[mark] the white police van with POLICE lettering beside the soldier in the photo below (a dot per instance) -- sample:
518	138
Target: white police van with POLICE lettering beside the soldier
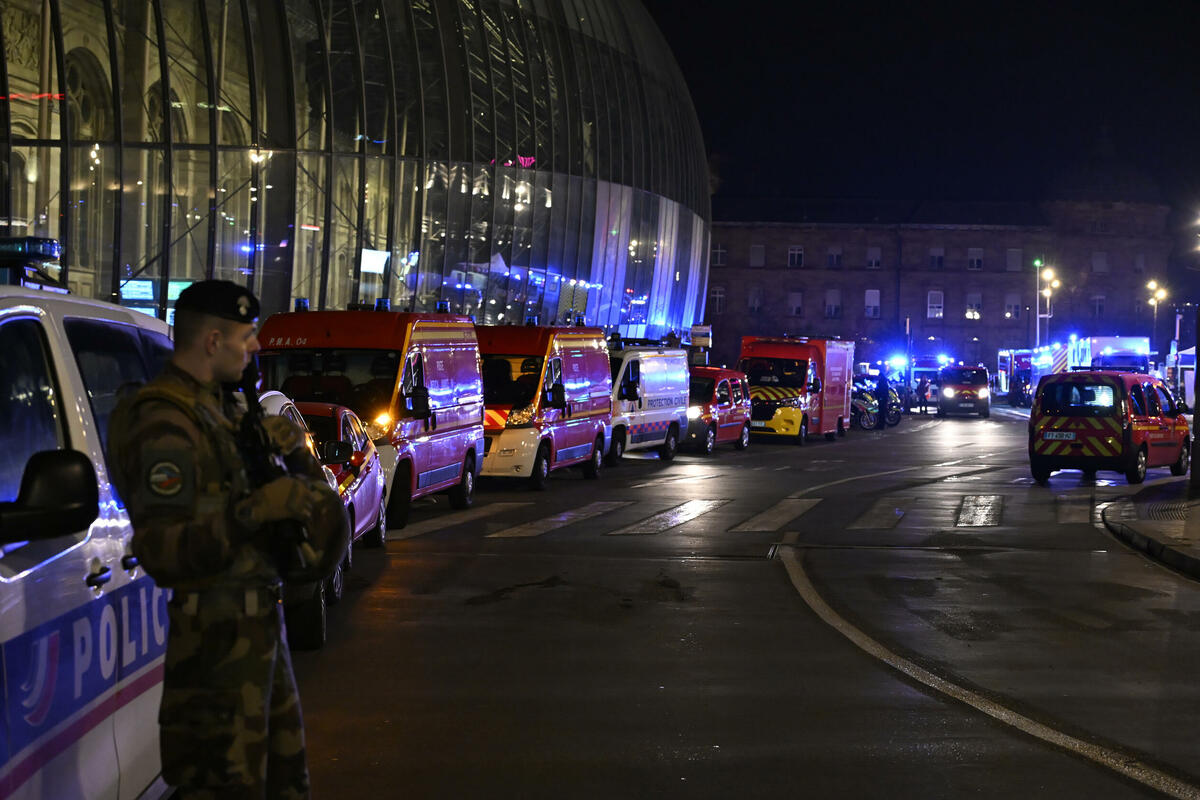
83	629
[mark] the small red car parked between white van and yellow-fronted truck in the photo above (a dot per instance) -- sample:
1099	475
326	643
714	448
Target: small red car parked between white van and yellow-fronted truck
719	410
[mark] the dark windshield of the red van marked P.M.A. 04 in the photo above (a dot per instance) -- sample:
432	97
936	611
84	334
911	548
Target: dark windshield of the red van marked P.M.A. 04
359	380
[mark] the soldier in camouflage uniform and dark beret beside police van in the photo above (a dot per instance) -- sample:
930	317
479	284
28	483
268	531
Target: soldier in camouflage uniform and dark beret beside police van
231	724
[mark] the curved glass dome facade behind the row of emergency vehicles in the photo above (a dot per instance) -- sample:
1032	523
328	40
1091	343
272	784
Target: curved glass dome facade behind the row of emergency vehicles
508	158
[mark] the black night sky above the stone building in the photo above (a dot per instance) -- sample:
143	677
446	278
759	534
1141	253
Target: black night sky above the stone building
939	100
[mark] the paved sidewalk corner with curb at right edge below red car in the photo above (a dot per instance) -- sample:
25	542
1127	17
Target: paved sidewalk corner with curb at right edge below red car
1163	524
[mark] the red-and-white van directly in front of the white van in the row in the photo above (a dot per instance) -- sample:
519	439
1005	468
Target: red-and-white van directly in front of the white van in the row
549	400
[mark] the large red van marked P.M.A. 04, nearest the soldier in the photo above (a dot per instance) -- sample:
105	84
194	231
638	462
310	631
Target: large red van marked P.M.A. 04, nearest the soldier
412	378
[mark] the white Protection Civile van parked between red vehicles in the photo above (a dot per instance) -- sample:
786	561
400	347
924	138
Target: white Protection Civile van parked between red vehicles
650	400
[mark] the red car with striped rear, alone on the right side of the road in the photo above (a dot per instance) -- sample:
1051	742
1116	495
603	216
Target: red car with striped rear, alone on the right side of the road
1095	420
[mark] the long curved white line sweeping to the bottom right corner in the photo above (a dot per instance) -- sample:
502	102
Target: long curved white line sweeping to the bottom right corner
1115	761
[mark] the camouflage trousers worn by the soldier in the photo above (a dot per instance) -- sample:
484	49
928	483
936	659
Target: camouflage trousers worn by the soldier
231	715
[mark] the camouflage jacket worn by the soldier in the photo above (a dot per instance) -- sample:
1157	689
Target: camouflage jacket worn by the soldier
176	464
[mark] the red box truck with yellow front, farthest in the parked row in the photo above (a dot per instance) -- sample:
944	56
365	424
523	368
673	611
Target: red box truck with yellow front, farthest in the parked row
799	386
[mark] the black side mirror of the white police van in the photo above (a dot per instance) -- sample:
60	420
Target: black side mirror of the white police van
59	496
